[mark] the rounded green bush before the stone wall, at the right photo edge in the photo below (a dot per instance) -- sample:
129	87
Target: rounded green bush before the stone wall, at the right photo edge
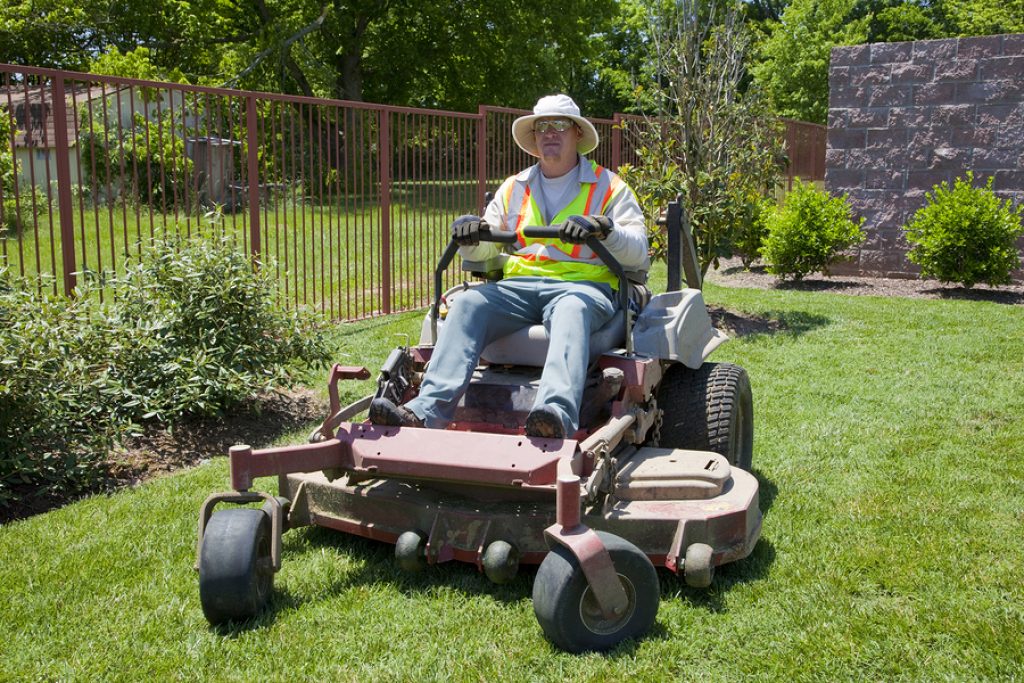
965	235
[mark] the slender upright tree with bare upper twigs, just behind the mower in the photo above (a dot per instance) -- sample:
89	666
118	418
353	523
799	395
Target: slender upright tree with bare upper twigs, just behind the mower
708	140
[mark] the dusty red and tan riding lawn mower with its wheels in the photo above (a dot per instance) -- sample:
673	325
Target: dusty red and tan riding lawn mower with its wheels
658	476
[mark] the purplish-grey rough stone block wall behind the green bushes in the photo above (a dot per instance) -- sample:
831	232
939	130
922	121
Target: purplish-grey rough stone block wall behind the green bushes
904	117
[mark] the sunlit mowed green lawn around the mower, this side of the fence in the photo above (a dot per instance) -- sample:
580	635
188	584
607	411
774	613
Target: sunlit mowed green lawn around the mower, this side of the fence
888	449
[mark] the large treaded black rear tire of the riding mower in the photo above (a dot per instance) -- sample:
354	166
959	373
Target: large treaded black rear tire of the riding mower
709	409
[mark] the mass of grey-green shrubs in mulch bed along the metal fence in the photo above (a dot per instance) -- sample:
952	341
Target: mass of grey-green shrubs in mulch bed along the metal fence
192	331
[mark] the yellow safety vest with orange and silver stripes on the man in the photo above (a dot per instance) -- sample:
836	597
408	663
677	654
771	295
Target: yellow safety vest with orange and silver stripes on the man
552	258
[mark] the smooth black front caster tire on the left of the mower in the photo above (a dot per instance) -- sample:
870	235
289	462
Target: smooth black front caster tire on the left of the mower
236	574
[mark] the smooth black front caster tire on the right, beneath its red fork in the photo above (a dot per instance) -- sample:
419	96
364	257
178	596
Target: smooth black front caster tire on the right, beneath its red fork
568	612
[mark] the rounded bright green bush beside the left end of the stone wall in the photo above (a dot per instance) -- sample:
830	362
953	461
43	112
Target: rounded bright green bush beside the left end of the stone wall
808	233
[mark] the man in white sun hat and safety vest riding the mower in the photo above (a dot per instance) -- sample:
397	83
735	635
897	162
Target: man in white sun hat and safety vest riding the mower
557	282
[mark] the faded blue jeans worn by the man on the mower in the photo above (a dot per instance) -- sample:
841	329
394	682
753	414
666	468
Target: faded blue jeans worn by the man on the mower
570	312
